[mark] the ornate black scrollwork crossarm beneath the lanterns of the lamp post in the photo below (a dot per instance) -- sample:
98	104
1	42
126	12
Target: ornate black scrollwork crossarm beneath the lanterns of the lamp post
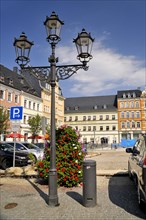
63	72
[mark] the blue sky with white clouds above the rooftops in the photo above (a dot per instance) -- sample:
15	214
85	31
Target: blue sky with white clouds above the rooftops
119	50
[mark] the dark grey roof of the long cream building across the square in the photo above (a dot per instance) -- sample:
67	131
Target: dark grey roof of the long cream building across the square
91	104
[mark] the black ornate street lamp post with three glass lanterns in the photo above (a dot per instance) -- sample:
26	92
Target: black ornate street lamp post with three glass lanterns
51	74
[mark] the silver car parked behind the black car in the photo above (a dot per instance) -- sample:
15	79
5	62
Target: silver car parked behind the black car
29	148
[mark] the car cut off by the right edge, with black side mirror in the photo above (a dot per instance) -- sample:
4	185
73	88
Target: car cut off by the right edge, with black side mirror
137	168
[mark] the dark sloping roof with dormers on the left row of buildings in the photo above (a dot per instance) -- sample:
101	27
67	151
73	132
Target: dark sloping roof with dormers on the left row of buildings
17	81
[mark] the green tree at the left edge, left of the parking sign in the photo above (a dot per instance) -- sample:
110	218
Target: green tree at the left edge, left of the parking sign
4	120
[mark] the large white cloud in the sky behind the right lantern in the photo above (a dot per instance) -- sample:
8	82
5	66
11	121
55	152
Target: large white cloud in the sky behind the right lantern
108	71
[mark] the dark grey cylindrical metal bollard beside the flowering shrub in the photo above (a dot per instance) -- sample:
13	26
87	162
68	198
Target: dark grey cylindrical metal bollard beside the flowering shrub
89	183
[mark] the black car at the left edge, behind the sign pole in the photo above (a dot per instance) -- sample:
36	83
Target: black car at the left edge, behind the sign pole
6	156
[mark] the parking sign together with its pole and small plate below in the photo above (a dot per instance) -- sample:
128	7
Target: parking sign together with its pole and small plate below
16	113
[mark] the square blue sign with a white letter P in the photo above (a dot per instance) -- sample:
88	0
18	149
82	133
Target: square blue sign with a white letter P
16	113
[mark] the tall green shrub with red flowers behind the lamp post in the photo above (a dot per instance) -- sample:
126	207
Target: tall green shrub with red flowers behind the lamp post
69	158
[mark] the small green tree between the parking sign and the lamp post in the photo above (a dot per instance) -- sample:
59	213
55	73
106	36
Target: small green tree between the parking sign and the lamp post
35	125
